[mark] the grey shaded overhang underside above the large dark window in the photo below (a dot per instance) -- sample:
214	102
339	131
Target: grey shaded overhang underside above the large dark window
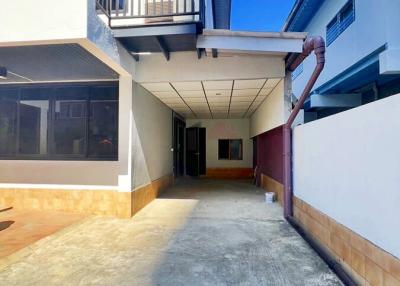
52	63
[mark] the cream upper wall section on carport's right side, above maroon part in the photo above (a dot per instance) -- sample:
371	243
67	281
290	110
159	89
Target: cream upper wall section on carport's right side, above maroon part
271	112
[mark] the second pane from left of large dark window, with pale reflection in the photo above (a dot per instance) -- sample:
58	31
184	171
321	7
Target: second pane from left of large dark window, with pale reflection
33	121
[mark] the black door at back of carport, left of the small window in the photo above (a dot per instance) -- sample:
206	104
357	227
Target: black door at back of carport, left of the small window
195	151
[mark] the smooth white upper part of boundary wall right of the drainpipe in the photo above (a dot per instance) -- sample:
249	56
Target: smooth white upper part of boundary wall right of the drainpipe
347	166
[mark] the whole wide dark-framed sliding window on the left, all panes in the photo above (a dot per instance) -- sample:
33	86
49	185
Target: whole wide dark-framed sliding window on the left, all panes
59	122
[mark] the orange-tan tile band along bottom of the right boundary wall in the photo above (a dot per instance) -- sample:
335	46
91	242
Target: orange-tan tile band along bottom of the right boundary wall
366	262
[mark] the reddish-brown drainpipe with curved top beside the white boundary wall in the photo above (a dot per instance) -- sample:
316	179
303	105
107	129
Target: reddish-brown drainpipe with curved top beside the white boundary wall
316	44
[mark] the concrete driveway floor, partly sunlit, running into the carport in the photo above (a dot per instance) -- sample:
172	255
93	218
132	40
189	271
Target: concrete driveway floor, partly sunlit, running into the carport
201	232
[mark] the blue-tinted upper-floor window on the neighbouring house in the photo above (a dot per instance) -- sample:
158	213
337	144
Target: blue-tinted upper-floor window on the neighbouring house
340	22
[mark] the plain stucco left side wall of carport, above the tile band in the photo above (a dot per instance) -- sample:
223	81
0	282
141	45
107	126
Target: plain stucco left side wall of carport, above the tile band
151	138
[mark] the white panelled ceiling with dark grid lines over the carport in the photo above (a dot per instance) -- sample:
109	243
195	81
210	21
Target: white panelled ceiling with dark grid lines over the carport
214	99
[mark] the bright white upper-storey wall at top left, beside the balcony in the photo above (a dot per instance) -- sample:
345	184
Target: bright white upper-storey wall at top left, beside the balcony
61	22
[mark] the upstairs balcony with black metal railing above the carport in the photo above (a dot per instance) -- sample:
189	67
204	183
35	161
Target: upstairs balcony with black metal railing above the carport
154	26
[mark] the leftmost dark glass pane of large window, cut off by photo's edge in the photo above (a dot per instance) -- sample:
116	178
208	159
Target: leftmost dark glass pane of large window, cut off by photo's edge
8	121
